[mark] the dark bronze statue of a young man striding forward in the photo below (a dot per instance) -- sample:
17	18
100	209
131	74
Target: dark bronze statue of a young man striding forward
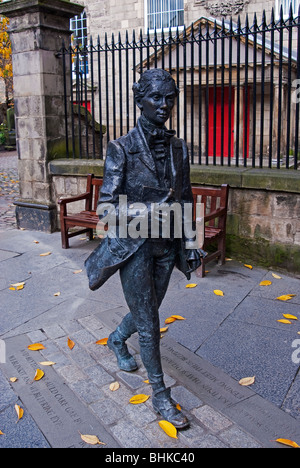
149	165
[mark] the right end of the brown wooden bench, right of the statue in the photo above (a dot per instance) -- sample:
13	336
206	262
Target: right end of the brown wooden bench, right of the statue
215	202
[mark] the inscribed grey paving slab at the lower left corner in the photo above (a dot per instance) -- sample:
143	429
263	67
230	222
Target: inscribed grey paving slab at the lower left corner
53	406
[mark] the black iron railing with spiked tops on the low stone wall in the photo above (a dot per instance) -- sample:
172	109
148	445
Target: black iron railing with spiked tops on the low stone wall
239	99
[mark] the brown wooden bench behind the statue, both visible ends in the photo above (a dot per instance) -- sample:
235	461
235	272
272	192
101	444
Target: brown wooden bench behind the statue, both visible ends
215	208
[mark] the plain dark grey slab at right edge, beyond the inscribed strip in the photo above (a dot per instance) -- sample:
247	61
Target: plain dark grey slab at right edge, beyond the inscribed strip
244	350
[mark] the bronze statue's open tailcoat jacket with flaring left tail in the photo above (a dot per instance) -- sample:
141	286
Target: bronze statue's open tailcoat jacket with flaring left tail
130	170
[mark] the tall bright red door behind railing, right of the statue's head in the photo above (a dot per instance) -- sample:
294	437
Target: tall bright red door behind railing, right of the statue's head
215	129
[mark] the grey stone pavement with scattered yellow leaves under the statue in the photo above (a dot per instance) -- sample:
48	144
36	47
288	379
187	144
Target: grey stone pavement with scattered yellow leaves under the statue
221	340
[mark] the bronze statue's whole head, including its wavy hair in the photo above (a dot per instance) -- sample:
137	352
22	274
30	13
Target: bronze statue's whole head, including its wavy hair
155	94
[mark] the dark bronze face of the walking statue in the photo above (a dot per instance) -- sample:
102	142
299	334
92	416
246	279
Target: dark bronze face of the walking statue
158	102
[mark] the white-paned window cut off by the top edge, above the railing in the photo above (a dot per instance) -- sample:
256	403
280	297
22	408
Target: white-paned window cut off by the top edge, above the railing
164	14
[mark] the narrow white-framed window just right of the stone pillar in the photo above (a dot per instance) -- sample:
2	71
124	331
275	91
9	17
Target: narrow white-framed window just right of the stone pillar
78	26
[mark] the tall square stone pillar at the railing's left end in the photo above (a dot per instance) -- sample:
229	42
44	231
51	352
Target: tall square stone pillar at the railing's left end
37	29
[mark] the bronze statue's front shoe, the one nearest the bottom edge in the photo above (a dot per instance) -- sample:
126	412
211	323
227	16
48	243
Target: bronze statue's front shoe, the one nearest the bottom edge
166	407
